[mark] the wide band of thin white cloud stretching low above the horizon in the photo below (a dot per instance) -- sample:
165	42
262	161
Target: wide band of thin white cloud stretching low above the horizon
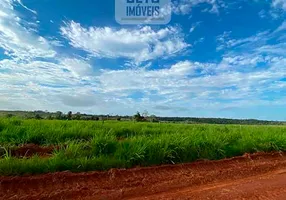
182	86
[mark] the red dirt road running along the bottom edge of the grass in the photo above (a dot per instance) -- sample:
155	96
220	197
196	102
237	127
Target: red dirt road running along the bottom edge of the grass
259	176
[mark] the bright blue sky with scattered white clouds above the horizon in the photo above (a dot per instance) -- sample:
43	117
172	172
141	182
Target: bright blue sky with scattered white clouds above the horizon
216	58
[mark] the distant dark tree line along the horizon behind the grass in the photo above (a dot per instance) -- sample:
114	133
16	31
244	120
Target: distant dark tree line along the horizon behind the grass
138	117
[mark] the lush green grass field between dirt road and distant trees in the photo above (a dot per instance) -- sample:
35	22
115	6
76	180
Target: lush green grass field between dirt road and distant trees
94	145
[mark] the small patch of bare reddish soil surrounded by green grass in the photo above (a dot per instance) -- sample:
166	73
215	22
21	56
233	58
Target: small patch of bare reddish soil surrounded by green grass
29	150
